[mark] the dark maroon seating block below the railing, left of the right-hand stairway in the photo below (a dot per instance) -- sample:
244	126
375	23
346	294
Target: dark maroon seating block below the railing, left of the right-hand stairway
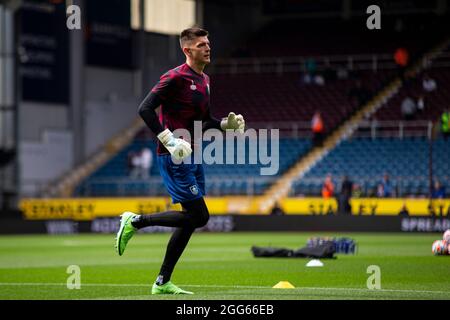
285	98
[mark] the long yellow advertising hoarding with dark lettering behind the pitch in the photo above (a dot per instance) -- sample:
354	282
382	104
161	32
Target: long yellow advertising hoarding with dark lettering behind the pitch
90	208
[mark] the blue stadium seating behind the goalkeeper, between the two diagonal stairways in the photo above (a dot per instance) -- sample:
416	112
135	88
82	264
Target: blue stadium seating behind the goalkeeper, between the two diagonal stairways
112	179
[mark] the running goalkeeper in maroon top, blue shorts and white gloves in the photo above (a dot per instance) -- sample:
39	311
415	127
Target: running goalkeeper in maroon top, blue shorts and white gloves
183	94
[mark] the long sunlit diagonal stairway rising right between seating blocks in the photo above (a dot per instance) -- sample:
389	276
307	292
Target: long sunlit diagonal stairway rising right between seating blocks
281	188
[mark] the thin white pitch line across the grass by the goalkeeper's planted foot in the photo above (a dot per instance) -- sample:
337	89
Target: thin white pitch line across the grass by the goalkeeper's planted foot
217	286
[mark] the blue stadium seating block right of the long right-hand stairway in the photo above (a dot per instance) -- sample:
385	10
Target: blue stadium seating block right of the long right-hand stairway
365	161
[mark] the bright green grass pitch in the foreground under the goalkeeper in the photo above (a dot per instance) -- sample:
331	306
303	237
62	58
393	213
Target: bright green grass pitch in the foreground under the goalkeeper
220	266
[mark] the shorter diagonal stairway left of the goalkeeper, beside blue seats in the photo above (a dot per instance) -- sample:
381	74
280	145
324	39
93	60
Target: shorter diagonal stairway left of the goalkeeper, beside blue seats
65	186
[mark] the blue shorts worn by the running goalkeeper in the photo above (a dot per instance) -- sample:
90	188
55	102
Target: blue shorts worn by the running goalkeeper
184	182
